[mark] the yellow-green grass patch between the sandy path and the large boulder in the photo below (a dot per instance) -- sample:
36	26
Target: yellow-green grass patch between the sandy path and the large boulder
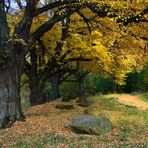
119	114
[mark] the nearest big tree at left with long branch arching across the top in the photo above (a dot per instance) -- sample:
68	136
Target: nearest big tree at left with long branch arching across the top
13	48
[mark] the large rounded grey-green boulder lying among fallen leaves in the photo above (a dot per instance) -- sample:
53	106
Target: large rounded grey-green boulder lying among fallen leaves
98	125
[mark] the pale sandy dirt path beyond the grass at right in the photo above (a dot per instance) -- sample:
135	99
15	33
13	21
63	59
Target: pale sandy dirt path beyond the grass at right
131	100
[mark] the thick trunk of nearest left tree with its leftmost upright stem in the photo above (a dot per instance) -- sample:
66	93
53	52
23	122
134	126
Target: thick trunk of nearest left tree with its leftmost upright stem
10	71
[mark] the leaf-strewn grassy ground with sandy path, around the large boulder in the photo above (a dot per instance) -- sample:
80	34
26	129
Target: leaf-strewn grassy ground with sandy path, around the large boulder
47	126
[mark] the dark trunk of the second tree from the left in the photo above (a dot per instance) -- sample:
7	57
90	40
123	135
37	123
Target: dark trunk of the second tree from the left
36	85
